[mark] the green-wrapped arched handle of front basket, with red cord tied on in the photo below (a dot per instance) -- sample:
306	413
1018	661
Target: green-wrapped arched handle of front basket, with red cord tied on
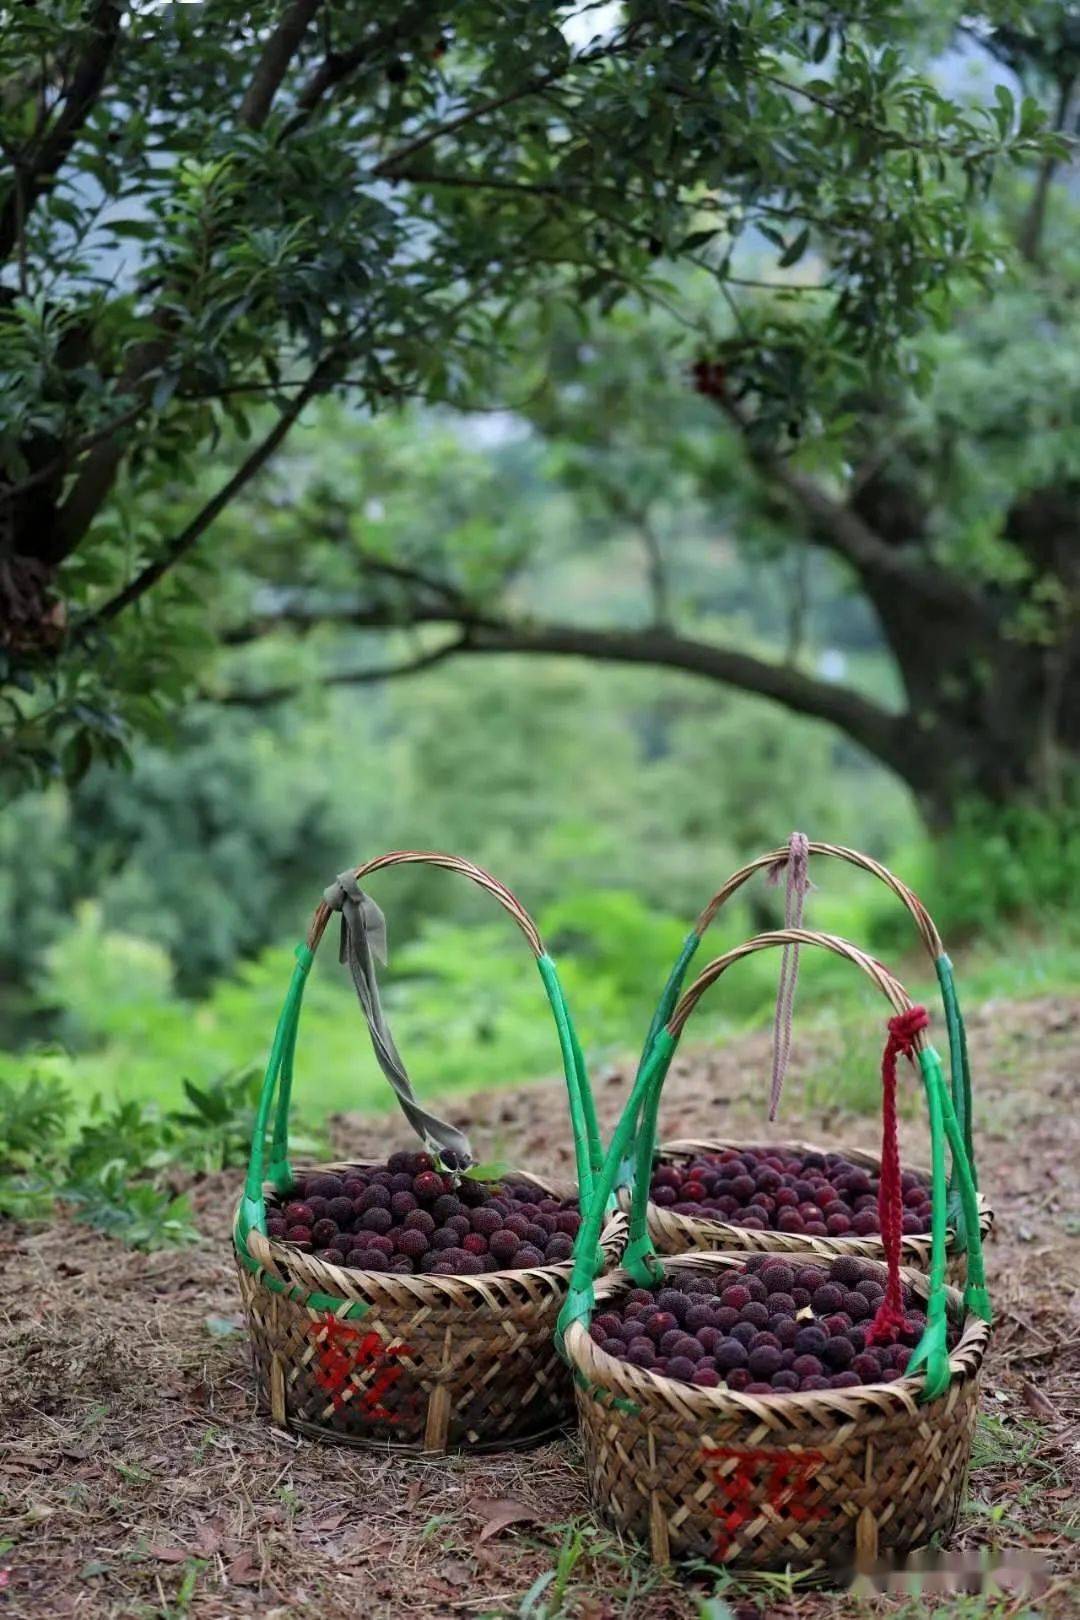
636	1133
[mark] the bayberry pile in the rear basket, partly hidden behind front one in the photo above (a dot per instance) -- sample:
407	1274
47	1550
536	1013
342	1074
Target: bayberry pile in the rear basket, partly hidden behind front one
784	1190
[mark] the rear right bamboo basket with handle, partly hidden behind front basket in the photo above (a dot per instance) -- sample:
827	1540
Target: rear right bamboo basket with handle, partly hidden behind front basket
678	1234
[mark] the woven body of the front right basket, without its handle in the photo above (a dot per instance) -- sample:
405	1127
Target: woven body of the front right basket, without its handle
783	1481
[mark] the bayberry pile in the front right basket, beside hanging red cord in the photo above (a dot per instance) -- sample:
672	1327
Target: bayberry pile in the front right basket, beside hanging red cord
775	1326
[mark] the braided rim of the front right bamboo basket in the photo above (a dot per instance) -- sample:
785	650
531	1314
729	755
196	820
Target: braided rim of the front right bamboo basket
828	1407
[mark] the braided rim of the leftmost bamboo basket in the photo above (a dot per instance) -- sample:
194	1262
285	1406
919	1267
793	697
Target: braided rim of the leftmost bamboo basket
323	1277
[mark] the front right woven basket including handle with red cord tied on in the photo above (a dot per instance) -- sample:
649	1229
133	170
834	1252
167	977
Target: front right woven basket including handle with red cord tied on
804	1481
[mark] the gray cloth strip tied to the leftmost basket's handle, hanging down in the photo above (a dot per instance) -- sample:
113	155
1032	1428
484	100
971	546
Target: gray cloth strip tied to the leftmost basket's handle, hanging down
364	942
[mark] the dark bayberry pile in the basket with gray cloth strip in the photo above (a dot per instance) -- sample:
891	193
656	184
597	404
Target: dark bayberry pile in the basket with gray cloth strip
409	1217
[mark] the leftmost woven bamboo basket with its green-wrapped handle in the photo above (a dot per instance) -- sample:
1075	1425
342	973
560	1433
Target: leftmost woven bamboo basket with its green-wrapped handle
414	1363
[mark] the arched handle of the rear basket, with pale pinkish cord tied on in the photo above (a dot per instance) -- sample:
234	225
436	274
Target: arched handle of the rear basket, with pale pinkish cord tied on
959	1064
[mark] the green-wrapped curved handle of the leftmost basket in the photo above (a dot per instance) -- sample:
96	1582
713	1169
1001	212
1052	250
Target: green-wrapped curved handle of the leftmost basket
279	1070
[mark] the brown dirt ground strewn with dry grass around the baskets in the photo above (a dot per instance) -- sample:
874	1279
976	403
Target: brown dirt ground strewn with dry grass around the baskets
137	1481
